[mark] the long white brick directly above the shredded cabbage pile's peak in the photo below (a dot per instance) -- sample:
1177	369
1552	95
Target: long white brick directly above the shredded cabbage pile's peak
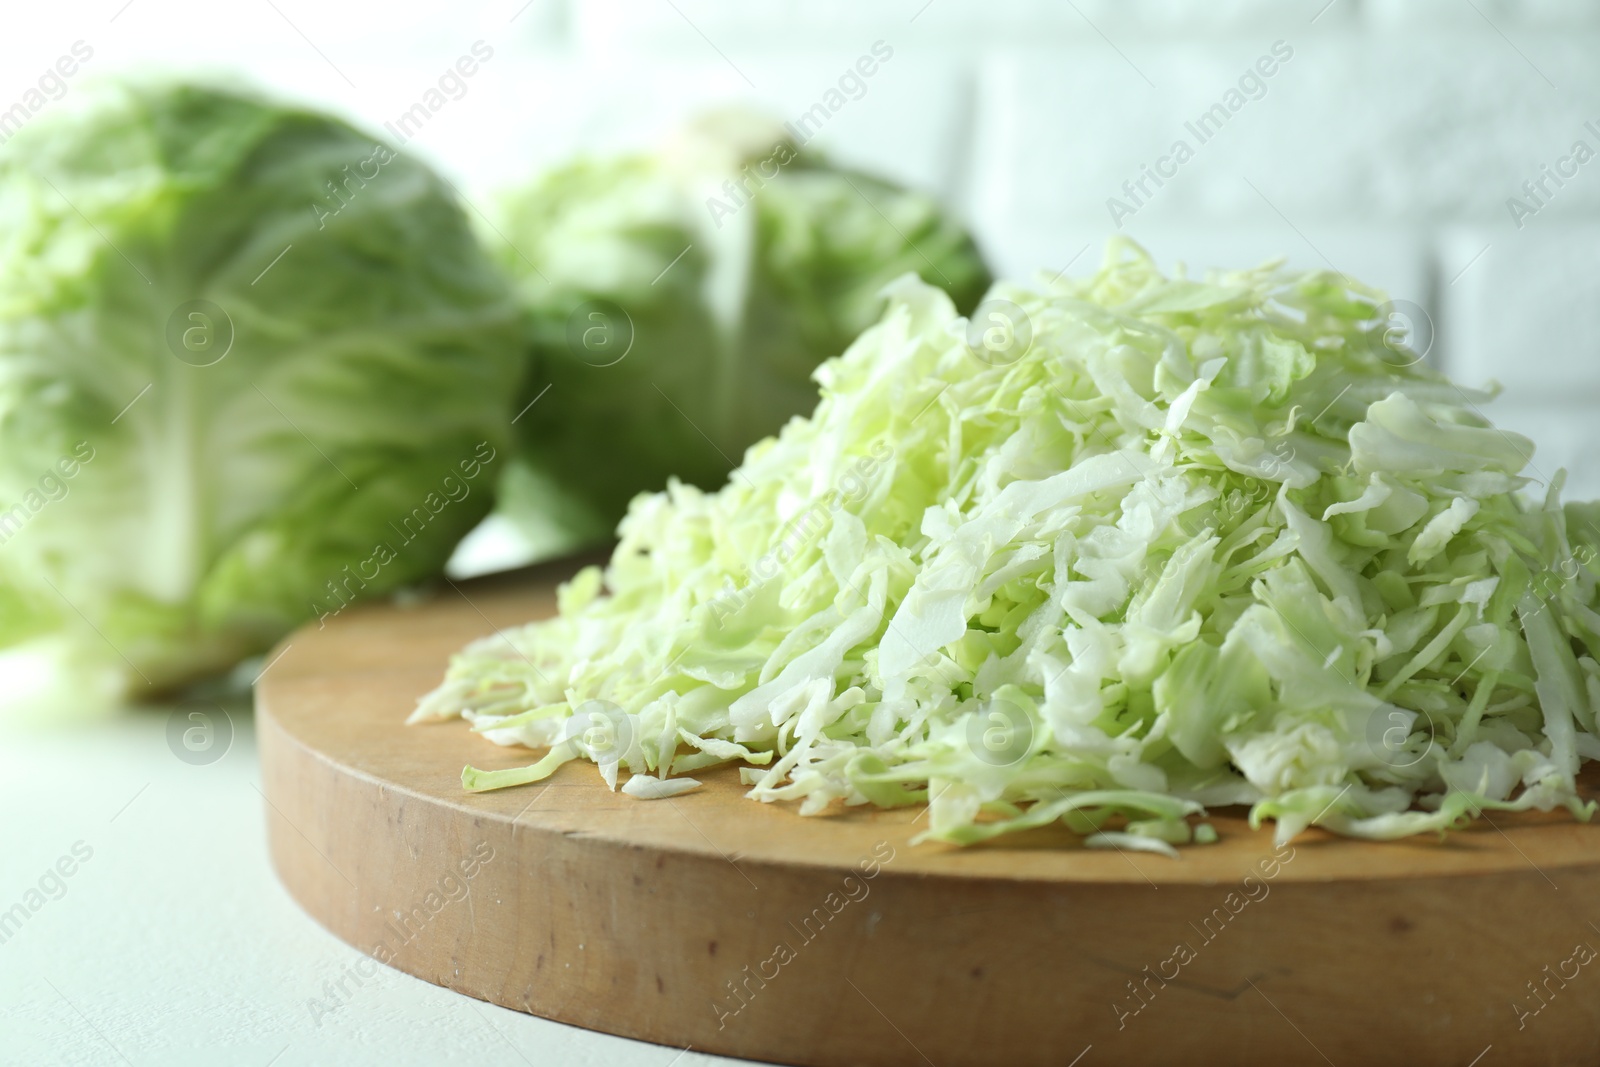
1353	129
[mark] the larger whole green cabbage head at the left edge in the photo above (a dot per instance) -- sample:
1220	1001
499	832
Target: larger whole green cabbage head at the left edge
254	366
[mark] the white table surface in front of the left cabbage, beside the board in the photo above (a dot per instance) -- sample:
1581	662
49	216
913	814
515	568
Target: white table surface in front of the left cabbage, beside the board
175	943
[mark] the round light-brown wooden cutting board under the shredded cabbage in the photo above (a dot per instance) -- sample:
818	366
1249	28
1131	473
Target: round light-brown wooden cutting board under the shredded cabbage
746	930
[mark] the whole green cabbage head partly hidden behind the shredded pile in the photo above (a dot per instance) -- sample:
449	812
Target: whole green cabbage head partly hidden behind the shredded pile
681	302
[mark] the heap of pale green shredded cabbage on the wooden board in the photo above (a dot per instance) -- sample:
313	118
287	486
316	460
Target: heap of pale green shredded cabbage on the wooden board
1113	553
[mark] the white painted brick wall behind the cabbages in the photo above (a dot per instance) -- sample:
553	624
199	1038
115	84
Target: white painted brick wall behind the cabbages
1388	146
